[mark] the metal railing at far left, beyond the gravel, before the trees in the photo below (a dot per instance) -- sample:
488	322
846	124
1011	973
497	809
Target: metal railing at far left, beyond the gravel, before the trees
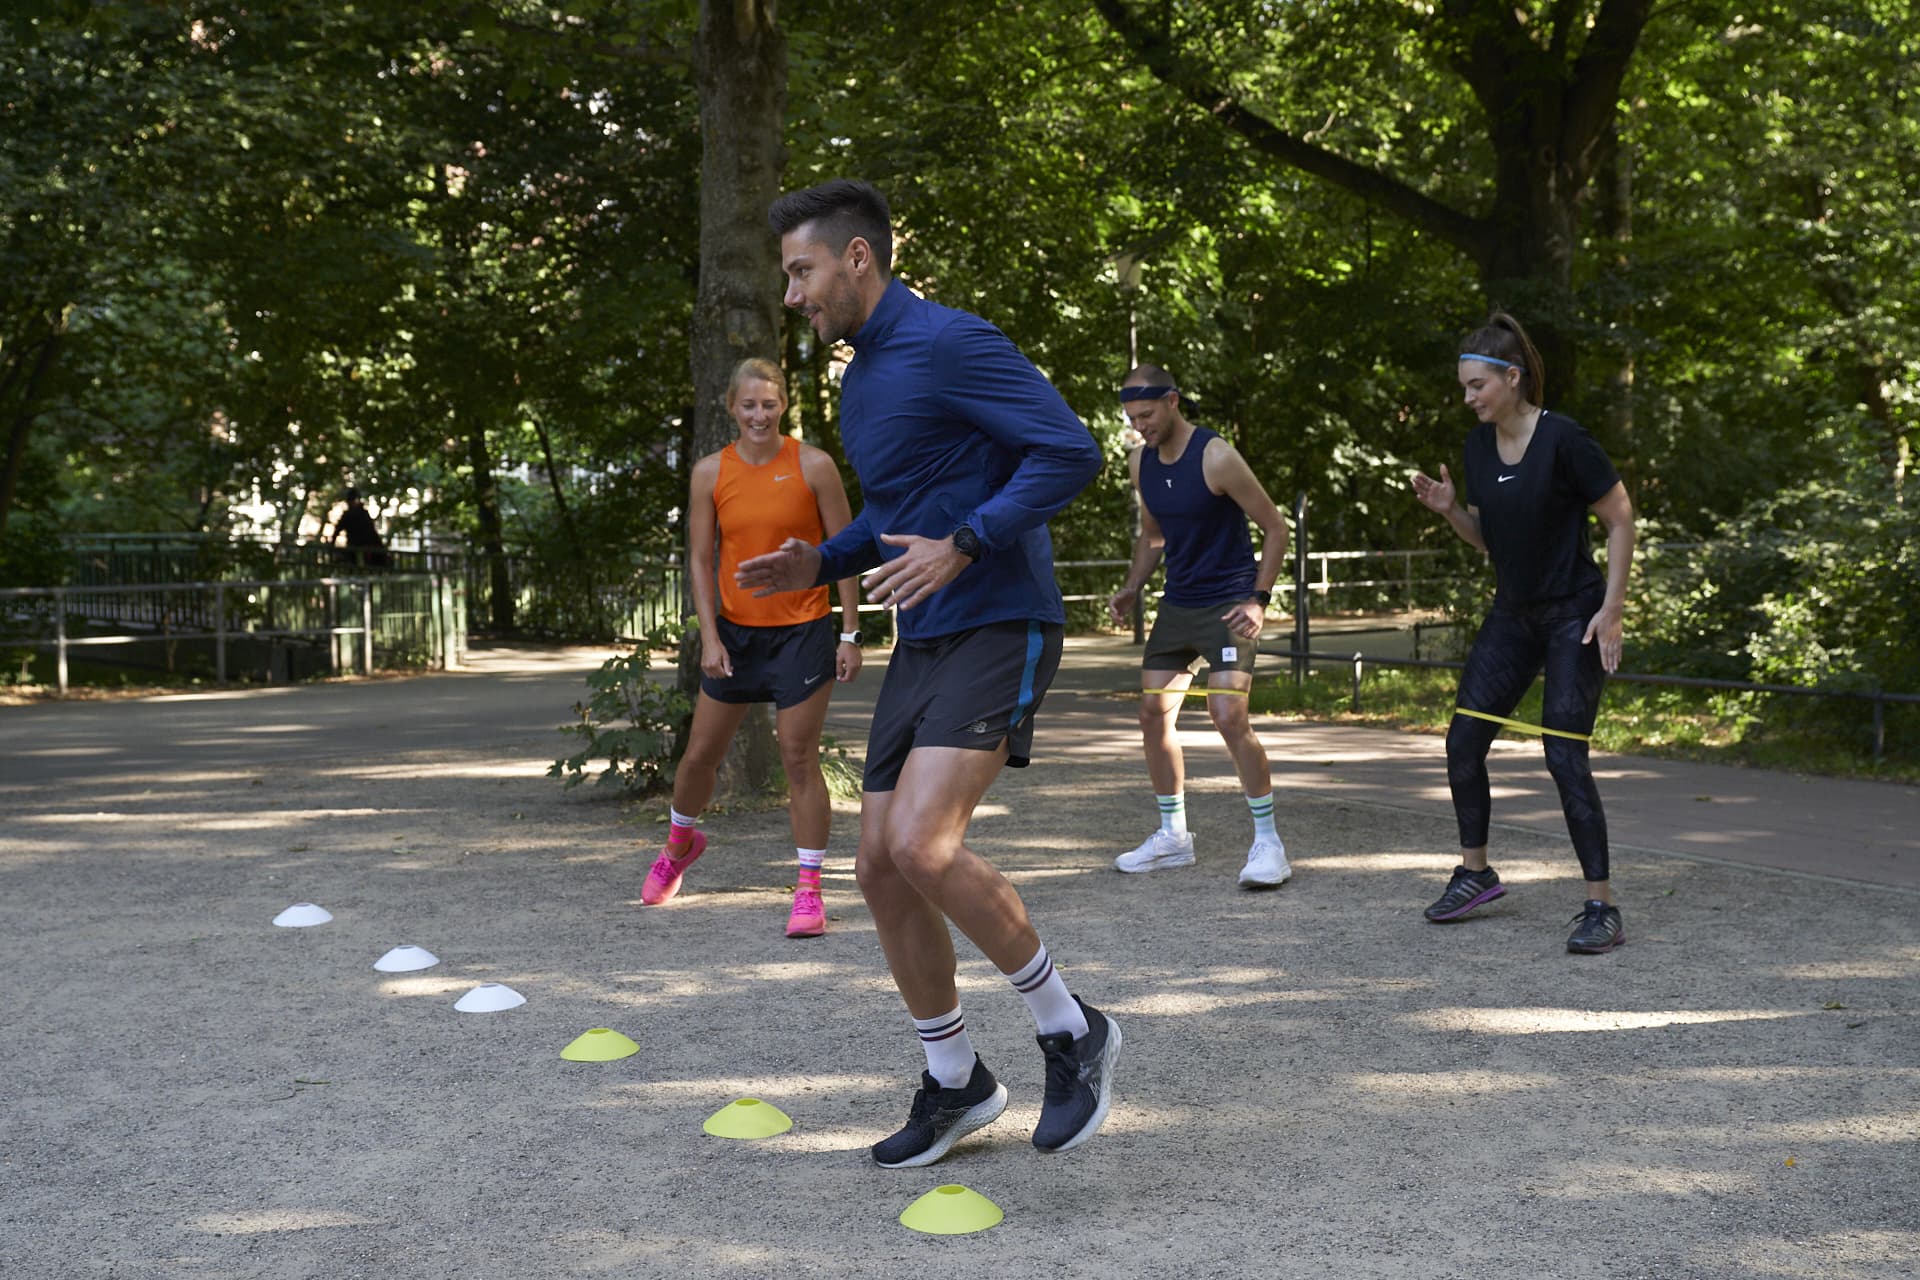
408	619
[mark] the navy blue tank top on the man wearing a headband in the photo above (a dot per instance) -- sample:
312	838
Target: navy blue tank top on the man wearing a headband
1211	552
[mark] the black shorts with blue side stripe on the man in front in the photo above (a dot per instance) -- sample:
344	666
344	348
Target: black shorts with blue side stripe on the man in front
971	690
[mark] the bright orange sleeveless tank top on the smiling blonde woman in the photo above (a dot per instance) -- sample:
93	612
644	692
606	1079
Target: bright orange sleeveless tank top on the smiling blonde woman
757	510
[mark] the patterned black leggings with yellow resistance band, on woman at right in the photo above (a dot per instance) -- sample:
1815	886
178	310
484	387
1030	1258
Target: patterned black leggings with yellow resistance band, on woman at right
1512	648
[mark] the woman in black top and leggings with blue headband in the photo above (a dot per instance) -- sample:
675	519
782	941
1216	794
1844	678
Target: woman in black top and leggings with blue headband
1531	477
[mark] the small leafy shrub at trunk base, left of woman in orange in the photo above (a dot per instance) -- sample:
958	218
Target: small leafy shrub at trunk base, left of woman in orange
629	721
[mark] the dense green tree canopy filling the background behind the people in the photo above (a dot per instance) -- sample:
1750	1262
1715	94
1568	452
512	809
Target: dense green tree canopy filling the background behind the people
452	254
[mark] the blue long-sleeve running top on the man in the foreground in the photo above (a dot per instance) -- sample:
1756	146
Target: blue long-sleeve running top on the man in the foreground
948	423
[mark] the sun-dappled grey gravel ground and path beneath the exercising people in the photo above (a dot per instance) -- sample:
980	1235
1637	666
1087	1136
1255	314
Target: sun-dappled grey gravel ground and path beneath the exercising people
1314	1083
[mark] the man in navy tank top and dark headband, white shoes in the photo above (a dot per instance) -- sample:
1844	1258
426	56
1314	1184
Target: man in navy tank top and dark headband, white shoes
1197	498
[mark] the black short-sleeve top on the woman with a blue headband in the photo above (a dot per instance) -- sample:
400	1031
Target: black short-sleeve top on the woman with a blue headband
1533	513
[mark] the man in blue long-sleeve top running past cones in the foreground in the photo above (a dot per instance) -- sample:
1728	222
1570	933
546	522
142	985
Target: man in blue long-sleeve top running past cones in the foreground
965	452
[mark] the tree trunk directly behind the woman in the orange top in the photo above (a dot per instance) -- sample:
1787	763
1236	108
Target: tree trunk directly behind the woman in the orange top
740	64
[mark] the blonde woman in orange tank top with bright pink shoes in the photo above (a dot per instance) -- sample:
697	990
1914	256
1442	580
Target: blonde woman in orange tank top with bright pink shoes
748	500
